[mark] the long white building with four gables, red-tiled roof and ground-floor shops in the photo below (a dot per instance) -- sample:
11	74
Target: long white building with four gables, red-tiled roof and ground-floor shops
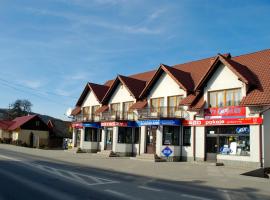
215	109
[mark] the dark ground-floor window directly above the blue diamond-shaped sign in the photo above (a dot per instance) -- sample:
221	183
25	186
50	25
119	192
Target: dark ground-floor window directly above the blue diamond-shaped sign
171	135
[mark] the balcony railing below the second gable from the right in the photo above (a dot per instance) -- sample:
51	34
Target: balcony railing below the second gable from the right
162	112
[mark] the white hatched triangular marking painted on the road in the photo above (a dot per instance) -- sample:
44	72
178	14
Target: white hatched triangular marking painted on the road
78	177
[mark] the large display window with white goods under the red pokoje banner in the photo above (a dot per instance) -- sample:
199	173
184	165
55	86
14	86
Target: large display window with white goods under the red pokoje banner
230	140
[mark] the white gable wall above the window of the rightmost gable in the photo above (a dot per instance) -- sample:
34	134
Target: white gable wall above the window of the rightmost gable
222	79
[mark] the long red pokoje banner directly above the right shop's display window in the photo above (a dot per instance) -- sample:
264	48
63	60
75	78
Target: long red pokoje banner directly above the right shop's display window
217	122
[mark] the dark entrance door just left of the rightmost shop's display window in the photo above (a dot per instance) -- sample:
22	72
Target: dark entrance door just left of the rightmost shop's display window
211	148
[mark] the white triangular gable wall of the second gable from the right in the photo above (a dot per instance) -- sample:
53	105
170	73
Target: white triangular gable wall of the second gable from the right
165	87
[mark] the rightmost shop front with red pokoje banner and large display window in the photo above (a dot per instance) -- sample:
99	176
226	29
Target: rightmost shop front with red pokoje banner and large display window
233	141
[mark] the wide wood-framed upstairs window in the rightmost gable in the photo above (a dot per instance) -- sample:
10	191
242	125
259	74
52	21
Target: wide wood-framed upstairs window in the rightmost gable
224	98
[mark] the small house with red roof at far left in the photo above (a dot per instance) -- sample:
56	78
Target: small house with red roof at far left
28	130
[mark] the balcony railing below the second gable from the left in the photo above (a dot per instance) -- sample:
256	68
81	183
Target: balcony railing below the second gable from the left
117	115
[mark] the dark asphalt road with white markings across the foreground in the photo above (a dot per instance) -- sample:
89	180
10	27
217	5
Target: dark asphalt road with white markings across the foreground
28	177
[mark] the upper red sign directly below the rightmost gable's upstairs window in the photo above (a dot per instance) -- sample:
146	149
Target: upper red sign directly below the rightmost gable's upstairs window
226	112
